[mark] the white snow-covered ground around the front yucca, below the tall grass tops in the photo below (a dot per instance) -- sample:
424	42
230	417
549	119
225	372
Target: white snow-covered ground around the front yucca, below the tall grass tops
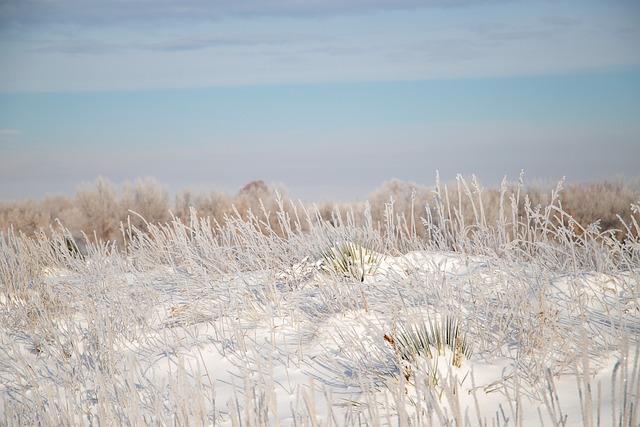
148	343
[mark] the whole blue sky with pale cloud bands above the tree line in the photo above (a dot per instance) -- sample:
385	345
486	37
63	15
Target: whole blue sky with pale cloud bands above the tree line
329	98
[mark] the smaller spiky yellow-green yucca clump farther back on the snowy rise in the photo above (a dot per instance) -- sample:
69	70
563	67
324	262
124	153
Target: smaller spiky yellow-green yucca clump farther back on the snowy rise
351	260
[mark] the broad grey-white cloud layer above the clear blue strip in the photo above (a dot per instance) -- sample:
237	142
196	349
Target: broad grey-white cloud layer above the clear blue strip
173	43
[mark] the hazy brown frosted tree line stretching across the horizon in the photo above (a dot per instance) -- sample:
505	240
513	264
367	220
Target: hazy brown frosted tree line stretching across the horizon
100	210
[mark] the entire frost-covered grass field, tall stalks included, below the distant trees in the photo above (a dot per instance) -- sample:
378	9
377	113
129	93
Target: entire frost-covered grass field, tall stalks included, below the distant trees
297	322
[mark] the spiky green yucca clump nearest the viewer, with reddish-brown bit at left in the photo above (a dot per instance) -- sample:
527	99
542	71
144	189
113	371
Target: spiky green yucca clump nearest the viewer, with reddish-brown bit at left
431	340
